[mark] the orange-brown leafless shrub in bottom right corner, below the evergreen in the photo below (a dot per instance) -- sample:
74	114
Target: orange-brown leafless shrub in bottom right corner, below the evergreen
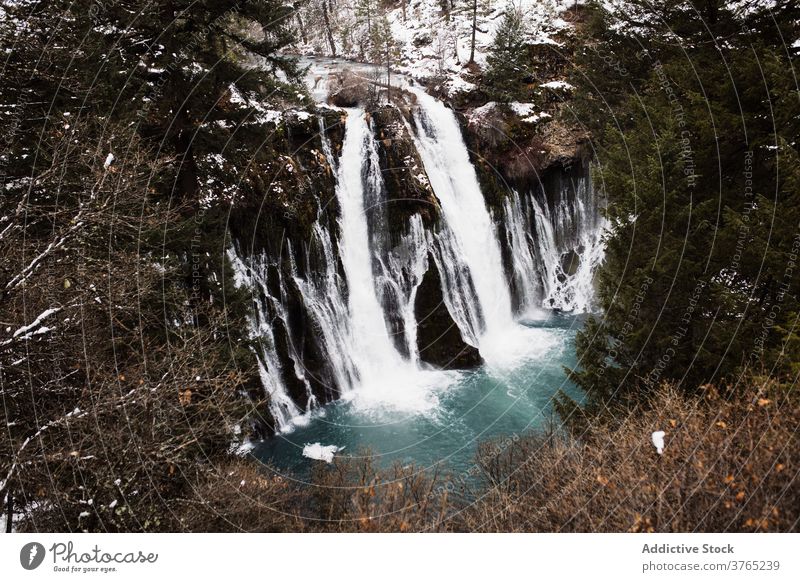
729	465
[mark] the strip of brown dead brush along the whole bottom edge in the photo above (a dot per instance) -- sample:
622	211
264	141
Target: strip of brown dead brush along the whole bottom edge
730	464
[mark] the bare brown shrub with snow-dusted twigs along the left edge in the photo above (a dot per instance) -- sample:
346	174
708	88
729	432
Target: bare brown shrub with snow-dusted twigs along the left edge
117	383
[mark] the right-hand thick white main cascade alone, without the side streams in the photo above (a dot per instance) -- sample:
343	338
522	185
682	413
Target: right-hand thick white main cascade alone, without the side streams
469	237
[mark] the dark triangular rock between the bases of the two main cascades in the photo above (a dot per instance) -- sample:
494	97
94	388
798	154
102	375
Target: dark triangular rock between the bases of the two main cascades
438	338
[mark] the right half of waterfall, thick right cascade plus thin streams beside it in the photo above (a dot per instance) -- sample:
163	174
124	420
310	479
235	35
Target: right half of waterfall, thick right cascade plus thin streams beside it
468	246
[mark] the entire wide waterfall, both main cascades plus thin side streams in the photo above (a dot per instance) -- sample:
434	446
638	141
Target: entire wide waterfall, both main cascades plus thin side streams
334	315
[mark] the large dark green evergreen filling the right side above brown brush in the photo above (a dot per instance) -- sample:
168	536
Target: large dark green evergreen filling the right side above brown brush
697	155
